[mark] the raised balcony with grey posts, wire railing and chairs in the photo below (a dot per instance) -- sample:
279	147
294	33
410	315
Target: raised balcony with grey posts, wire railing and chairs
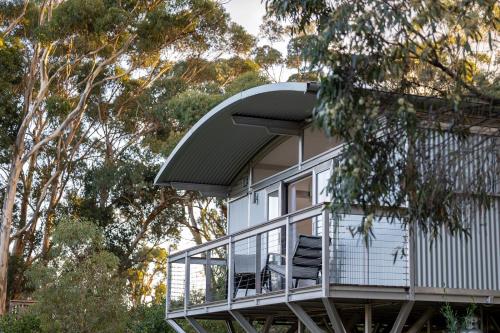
291	258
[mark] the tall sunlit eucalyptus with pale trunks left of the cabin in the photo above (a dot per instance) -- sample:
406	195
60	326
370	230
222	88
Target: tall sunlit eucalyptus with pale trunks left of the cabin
70	68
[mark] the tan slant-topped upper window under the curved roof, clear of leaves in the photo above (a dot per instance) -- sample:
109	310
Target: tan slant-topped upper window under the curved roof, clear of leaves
280	158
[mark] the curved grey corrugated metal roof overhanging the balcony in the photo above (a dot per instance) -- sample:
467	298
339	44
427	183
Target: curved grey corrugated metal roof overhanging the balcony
215	149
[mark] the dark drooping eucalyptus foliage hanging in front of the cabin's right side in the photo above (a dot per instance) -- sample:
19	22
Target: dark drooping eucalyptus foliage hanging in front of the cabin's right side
442	49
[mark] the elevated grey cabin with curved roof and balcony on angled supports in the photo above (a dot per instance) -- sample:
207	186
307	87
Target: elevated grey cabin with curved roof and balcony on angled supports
281	265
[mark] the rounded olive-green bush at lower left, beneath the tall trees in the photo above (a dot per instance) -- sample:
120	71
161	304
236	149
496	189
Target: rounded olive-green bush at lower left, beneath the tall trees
79	290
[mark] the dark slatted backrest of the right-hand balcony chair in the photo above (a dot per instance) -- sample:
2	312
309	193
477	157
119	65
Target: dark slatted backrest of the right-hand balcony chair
308	252
